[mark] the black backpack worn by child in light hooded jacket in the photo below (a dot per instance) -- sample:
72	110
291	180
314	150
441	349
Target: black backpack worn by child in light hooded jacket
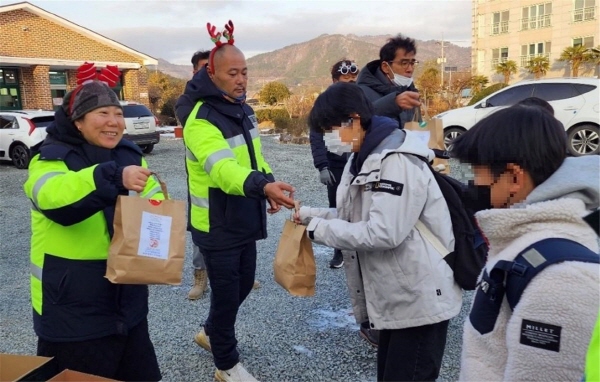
470	250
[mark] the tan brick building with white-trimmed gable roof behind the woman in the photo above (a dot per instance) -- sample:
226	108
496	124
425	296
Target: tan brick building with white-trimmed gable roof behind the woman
40	53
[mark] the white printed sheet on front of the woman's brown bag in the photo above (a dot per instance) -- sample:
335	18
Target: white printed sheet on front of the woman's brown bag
155	233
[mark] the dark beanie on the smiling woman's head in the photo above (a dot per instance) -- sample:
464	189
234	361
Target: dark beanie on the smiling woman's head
88	97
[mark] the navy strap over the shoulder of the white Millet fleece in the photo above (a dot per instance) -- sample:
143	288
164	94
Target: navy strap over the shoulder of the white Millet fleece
535	258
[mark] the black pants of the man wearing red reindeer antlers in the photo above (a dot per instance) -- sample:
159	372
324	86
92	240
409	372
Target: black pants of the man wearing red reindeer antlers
231	275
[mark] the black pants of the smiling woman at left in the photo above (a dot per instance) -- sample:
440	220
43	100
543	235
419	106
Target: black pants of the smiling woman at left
128	357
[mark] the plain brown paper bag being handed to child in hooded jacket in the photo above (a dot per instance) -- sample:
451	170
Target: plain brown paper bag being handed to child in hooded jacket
294	265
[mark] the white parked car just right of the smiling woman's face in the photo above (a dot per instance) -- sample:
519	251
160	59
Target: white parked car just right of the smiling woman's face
140	125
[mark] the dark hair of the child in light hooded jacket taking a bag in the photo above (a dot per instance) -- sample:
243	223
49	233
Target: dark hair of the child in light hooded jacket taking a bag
336	104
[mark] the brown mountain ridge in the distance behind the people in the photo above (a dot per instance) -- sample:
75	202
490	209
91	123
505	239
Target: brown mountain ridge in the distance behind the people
309	63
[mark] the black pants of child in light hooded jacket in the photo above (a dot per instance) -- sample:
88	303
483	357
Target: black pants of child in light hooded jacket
411	354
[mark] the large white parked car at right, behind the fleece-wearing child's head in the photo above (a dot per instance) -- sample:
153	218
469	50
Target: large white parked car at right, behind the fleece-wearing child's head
575	102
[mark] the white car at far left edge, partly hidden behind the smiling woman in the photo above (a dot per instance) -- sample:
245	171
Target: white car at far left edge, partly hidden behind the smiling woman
19	131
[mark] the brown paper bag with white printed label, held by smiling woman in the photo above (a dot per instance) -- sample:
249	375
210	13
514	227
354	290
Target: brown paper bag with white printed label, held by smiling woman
148	244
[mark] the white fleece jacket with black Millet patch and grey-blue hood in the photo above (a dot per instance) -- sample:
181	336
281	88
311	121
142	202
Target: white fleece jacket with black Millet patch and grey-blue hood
564	295
